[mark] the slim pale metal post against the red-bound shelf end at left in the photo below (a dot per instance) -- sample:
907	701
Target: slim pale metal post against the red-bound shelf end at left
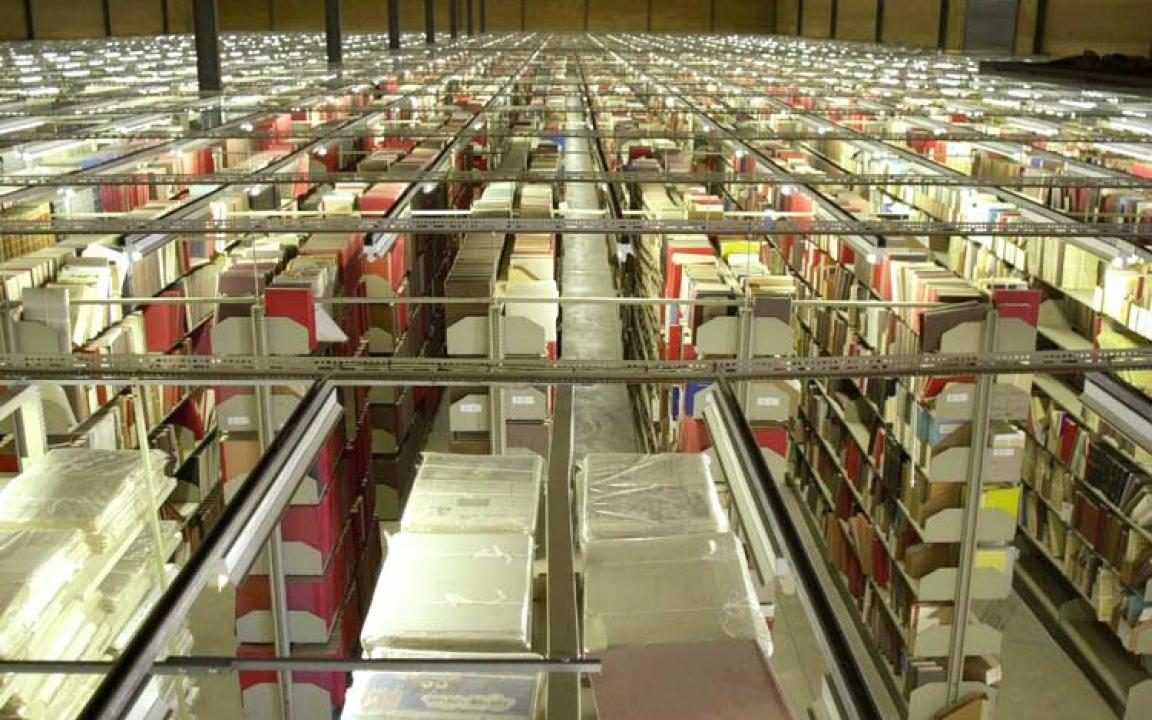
277	582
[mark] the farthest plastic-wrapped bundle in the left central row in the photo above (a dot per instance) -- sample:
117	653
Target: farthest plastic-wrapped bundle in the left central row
475	494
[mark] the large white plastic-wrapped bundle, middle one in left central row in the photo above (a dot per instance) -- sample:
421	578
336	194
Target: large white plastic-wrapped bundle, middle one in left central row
452	594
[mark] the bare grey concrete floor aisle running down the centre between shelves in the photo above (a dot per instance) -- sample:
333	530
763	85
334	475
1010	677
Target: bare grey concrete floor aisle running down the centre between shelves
603	415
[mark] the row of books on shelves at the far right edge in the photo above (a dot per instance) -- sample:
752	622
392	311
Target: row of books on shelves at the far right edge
1098	545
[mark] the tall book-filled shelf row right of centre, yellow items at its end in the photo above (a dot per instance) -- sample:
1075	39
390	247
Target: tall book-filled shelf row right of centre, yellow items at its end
865	460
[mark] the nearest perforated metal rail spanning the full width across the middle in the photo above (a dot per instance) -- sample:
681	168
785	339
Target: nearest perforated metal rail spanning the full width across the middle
383	372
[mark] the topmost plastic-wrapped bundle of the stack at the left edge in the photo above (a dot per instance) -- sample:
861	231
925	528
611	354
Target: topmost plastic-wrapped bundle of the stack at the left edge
82	489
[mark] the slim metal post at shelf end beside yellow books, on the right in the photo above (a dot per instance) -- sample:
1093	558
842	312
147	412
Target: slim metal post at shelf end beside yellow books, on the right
968	539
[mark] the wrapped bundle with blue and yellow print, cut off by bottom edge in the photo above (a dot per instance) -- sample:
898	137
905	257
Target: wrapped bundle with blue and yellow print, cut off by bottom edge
438	696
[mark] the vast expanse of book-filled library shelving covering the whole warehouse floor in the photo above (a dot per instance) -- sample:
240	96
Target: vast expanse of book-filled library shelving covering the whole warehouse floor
286	375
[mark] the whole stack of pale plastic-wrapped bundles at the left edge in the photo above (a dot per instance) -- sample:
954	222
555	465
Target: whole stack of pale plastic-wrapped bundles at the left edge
75	567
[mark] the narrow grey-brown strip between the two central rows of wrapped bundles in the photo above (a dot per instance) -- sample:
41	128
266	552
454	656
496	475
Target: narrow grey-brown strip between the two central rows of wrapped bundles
563	616
